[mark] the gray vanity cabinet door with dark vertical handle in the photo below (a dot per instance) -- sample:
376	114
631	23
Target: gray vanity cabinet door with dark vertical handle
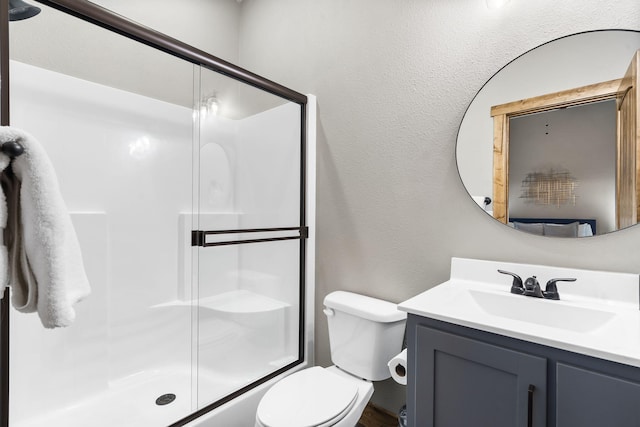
460	382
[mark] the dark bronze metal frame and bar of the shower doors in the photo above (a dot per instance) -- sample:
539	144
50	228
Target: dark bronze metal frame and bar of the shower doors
97	15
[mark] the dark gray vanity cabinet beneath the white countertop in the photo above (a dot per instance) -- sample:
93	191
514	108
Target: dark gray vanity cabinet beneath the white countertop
467	377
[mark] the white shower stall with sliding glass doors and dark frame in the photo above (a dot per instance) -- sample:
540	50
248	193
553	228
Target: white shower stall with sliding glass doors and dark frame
190	183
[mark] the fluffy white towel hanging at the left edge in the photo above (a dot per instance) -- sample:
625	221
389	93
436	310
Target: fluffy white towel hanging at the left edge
46	272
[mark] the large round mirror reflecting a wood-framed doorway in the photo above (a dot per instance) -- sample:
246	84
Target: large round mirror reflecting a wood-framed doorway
549	144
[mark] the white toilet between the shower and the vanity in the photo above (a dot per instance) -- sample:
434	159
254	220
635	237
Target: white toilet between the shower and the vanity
364	334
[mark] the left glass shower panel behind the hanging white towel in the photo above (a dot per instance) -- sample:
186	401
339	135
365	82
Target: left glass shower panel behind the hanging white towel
121	141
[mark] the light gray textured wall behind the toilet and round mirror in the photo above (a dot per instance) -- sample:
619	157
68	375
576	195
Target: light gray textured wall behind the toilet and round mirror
393	79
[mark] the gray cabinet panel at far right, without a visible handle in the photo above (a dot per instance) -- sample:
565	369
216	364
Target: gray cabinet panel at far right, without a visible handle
591	399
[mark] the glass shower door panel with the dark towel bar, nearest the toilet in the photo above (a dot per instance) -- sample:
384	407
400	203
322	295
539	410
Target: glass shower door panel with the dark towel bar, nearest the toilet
249	233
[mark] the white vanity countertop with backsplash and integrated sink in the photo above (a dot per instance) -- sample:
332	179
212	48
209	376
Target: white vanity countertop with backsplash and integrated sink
598	315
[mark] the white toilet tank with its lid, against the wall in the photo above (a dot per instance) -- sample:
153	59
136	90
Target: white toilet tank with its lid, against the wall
364	333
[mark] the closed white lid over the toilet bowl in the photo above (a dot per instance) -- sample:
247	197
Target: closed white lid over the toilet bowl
309	398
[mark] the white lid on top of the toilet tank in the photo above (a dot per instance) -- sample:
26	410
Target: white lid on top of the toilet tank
363	306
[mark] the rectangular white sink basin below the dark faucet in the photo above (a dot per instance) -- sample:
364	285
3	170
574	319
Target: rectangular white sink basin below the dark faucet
538	311
